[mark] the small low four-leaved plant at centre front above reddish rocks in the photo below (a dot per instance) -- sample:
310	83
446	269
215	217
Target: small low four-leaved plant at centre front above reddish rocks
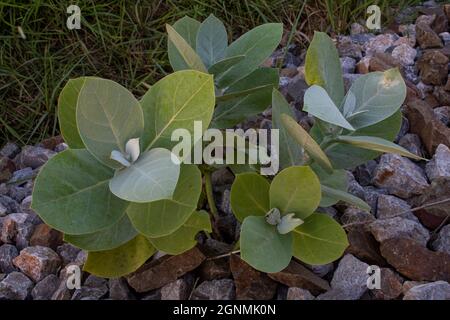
279	220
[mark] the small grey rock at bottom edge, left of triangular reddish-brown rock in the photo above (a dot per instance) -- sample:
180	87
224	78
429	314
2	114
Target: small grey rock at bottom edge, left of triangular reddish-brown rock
222	289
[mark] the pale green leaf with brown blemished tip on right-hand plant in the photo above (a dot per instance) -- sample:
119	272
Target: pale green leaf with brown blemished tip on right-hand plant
374	97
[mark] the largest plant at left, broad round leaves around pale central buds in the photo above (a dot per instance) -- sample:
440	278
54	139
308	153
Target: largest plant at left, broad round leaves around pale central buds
116	192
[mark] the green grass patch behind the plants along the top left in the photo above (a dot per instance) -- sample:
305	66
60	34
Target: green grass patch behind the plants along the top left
125	42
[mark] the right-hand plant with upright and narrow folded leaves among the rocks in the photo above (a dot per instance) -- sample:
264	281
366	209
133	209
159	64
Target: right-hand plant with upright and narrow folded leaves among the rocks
349	129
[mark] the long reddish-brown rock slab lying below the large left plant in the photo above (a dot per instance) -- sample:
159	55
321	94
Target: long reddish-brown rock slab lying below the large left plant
164	270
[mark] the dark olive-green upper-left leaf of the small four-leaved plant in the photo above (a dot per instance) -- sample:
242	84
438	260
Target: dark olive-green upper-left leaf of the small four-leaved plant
249	195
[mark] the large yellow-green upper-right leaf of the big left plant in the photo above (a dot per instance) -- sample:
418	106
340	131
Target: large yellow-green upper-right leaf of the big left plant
176	101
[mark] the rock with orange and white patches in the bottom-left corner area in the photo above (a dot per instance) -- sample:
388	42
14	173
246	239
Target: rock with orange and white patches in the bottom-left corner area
37	262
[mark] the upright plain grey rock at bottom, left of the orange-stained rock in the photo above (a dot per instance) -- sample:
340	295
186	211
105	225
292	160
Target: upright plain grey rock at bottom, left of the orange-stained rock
350	277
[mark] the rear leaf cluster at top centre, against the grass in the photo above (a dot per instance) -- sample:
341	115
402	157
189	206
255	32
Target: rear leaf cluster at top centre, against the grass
243	87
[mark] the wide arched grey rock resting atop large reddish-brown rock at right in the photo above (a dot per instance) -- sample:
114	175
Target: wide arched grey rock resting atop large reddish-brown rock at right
398	227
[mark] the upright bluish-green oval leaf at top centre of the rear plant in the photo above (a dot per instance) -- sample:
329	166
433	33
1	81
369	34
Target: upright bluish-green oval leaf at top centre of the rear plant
212	40
